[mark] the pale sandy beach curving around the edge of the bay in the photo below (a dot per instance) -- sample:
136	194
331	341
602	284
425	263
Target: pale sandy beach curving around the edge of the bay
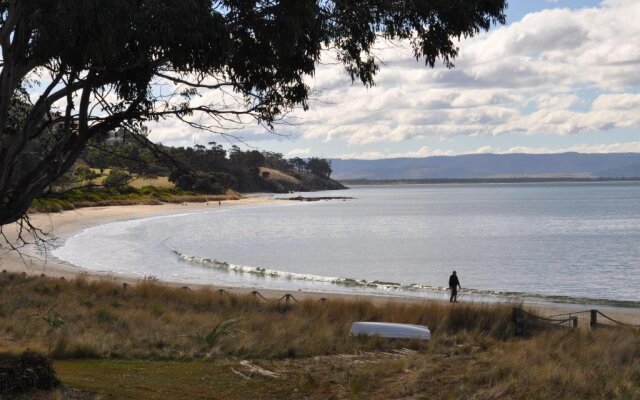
34	262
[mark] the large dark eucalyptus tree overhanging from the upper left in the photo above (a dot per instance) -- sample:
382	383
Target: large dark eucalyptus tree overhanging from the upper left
75	69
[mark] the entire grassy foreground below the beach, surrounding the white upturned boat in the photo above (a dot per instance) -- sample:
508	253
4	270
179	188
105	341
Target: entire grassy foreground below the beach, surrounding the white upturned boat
155	341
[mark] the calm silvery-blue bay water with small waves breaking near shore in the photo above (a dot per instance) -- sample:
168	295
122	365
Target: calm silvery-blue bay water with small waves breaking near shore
551	240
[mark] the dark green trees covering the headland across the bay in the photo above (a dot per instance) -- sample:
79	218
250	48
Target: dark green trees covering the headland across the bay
206	169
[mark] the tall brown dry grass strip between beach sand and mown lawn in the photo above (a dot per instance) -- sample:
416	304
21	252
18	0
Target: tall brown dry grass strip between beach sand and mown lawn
153	321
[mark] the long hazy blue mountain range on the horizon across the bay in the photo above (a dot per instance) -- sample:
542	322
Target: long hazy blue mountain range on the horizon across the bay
475	166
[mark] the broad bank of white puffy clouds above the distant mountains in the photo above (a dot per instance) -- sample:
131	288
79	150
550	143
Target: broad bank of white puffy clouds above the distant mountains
525	77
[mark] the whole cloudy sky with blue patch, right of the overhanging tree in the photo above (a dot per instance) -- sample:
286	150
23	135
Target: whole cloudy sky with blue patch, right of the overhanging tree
562	75
